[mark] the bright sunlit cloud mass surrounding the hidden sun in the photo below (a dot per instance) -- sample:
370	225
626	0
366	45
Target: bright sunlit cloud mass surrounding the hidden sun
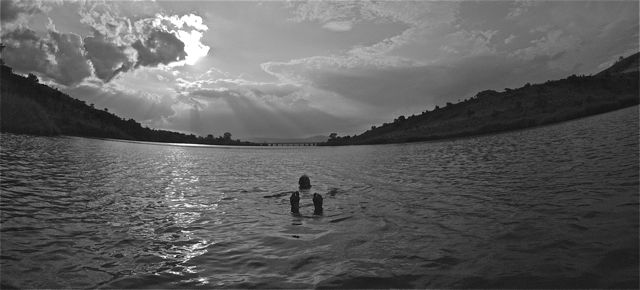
146	41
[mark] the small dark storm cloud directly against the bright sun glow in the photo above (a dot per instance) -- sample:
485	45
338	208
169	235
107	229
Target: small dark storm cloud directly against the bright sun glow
160	47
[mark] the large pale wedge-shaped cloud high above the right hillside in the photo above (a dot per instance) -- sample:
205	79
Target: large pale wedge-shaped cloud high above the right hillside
468	57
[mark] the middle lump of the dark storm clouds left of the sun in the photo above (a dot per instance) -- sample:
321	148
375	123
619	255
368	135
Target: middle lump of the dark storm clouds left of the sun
108	59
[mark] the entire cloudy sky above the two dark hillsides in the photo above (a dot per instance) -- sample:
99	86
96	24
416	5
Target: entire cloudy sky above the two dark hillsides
298	69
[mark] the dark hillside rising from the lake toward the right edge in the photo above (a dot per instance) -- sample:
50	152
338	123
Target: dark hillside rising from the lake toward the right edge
531	105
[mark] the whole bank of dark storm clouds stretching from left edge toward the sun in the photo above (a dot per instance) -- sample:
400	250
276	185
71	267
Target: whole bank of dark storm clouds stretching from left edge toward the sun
67	58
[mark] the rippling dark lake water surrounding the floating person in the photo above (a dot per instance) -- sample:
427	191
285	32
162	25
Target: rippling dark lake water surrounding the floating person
549	207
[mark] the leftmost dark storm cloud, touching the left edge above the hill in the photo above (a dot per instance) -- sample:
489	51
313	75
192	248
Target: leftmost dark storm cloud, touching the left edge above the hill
59	56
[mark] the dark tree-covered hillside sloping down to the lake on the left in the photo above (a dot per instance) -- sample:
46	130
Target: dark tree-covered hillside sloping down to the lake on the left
28	107
